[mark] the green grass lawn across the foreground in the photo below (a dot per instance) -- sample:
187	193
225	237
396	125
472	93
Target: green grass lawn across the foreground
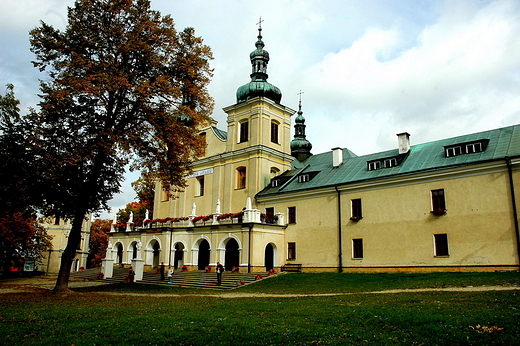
97	317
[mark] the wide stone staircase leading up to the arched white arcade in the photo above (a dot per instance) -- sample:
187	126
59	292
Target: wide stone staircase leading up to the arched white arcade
195	279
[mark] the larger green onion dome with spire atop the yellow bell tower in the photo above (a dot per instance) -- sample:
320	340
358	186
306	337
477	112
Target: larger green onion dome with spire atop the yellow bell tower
259	85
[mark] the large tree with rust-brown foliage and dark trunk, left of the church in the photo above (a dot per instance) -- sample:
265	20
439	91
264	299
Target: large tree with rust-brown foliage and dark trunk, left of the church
124	87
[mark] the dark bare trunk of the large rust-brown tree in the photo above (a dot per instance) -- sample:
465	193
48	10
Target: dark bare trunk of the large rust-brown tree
62	282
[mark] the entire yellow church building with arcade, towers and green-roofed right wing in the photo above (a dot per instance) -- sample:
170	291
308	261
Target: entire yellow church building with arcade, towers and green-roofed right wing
260	200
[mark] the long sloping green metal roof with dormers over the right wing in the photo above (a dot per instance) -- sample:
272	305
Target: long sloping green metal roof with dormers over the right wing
503	142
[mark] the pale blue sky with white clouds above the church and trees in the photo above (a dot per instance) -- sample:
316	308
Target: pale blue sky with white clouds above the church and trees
368	69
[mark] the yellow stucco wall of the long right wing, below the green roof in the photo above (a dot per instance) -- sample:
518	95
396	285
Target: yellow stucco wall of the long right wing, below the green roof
398	229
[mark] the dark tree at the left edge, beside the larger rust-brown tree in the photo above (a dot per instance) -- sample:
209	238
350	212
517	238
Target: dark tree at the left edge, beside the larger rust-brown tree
21	237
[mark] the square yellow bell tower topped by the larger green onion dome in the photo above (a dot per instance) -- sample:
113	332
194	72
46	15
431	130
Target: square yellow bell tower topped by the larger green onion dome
259	126
